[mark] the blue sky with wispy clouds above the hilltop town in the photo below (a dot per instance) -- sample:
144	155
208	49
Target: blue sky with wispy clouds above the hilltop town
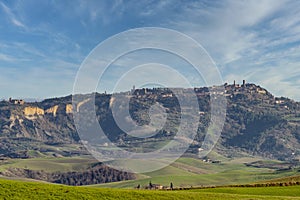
44	43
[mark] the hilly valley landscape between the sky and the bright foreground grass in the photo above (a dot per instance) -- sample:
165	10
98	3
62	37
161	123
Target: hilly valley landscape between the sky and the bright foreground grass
259	141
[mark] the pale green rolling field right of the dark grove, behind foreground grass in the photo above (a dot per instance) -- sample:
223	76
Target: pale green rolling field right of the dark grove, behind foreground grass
187	172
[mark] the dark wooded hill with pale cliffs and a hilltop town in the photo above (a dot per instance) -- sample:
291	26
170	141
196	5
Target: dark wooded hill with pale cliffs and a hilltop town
257	123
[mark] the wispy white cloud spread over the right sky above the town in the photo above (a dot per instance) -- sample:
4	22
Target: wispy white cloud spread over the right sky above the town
254	40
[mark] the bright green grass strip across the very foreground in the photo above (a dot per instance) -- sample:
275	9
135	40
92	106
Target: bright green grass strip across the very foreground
29	190
